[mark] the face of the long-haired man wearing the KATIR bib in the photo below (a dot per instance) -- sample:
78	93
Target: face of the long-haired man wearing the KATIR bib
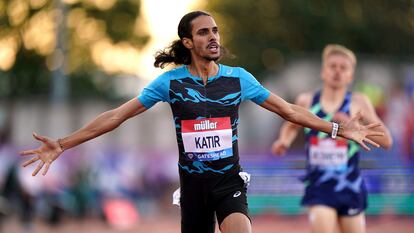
206	38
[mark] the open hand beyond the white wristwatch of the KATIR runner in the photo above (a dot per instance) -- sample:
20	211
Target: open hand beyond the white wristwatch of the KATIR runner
353	130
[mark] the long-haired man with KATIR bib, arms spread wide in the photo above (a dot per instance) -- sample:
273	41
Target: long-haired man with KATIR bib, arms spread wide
204	97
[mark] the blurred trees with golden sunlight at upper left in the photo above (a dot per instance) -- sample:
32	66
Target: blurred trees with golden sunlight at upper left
31	52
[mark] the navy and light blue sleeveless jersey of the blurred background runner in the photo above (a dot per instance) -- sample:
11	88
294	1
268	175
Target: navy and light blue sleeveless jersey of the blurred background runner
332	165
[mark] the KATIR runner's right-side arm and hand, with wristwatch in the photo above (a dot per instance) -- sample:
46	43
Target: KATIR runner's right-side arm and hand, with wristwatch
294	113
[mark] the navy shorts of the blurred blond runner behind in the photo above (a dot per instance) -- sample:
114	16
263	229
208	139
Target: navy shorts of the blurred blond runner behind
346	203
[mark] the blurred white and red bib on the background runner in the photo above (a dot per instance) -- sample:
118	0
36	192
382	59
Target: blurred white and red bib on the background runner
328	153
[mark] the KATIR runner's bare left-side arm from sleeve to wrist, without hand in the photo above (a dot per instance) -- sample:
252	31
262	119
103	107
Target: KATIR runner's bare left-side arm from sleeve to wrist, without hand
104	123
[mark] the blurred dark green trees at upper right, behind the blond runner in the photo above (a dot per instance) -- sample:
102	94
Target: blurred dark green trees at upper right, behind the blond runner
264	33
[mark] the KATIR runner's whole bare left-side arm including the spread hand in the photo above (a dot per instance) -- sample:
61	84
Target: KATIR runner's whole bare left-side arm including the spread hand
51	149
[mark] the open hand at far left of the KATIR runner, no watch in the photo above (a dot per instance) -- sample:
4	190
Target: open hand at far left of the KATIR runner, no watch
48	152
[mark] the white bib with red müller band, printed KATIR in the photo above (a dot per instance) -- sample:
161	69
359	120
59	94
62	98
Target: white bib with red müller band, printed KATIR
207	139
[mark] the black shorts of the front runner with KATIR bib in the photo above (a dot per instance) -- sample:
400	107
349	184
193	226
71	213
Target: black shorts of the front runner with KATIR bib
203	198
